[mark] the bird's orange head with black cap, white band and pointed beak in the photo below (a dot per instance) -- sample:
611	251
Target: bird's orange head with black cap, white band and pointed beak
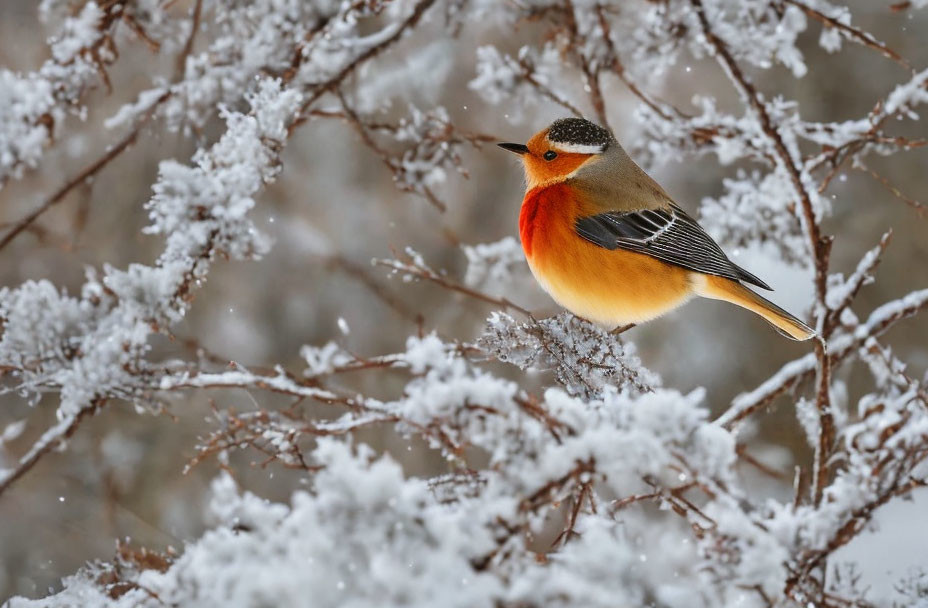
555	153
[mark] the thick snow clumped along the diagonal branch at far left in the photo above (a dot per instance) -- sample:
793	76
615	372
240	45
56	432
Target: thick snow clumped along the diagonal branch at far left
93	347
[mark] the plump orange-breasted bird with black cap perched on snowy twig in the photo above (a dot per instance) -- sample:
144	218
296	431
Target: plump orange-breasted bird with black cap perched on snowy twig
611	246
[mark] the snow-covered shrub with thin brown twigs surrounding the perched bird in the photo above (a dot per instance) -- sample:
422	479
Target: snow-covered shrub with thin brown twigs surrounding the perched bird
571	475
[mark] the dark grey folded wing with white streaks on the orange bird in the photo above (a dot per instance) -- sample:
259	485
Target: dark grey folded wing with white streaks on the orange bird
669	235
